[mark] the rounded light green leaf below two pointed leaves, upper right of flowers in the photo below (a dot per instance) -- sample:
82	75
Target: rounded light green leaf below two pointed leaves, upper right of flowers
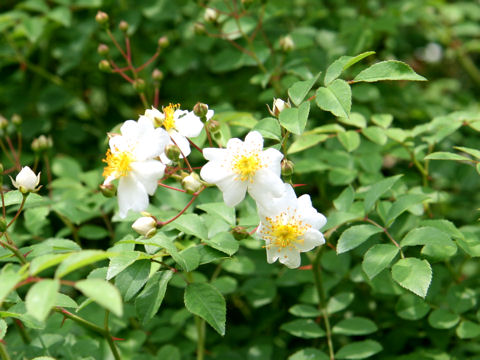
336	98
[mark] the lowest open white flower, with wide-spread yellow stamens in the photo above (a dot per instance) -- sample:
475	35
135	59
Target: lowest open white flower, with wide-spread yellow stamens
290	226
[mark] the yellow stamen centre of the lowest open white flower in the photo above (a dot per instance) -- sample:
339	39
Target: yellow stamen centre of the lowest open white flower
284	230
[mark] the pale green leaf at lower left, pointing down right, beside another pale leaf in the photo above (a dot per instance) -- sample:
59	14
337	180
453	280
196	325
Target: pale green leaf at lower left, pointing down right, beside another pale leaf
103	293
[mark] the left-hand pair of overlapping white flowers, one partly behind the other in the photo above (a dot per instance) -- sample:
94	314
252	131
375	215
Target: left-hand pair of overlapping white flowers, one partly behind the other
137	158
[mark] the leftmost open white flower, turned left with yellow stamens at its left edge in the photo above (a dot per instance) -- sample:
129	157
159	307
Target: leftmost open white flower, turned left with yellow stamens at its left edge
131	160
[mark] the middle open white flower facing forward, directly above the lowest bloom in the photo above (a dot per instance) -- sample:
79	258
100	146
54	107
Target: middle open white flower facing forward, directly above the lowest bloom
244	166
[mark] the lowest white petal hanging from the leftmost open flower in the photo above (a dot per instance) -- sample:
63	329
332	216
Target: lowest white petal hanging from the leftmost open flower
131	196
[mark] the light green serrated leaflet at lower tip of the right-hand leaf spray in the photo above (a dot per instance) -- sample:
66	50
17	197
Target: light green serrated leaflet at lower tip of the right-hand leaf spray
413	274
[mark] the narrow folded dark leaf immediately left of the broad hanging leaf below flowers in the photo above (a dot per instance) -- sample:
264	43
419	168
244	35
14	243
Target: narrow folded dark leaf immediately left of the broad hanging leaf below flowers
150	299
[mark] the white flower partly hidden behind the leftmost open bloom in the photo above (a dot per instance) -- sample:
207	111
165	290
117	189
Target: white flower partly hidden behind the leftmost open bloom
180	124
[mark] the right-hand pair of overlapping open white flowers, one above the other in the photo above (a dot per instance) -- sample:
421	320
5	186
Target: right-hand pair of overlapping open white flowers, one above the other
288	225
